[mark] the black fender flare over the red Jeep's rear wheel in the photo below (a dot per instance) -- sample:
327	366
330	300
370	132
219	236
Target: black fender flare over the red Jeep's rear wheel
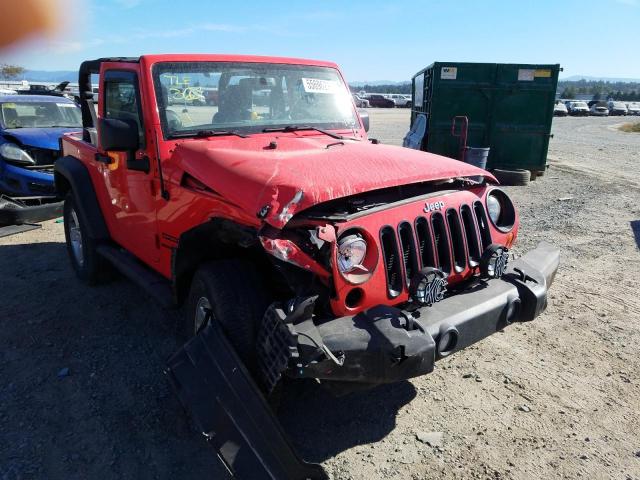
71	174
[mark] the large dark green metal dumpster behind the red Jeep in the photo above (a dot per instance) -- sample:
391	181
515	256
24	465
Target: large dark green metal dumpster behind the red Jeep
509	109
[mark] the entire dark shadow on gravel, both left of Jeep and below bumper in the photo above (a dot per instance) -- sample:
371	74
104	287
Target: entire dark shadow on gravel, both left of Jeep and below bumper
83	390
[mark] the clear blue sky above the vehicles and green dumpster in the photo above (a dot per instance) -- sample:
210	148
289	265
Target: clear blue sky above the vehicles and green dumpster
370	40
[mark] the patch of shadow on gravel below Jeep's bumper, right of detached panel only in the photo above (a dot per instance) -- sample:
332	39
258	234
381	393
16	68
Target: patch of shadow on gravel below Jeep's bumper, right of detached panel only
321	425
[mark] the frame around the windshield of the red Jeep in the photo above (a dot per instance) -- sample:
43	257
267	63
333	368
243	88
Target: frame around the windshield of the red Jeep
159	68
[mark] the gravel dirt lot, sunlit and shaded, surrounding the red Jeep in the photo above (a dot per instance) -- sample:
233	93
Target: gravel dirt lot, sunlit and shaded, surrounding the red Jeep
557	398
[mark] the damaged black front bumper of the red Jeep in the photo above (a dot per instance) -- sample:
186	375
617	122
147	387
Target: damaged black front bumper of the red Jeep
387	344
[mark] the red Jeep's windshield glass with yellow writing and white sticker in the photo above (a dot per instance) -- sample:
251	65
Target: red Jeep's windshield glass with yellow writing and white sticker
248	97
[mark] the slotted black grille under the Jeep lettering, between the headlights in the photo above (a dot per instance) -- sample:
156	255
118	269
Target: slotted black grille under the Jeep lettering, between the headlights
450	241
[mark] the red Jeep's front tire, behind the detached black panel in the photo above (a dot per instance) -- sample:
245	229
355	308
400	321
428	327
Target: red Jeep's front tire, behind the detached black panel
231	293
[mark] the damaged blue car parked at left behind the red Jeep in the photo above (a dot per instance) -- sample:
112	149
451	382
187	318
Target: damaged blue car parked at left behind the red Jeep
30	129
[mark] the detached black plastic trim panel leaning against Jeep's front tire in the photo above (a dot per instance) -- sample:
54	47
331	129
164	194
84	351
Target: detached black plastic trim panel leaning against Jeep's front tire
229	409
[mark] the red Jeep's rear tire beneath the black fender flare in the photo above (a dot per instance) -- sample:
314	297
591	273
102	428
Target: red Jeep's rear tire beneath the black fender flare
90	267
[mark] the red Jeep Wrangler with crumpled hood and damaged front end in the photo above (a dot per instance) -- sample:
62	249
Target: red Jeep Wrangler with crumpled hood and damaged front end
319	253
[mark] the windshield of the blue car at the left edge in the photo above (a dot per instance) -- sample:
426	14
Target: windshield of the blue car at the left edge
39	115
